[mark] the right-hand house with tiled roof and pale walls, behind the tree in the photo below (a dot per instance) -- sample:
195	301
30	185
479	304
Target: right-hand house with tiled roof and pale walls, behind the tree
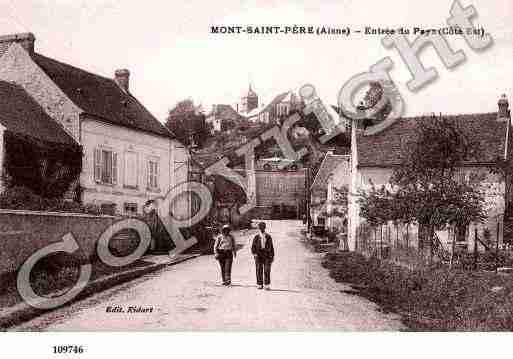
374	157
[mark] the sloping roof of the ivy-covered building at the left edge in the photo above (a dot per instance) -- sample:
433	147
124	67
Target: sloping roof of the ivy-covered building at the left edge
21	114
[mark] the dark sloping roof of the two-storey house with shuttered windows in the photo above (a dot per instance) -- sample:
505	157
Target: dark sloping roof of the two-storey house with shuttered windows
101	97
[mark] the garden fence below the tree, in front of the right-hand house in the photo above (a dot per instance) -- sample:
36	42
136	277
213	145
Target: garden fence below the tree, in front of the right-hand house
480	247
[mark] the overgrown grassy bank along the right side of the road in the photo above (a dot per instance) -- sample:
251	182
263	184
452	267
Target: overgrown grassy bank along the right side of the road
433	298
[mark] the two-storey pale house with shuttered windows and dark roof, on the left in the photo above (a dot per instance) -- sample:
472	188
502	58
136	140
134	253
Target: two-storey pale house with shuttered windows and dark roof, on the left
129	157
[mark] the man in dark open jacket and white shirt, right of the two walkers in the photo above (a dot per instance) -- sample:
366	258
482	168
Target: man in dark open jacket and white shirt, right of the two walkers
263	250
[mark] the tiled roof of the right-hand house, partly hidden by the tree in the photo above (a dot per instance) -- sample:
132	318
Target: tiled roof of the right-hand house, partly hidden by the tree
385	148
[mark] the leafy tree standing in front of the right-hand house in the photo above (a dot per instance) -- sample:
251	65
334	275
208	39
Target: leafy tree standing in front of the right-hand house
429	187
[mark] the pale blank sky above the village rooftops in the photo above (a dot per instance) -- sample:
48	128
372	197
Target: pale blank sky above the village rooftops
171	54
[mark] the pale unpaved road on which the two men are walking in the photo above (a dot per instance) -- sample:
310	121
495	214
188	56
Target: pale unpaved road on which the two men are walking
188	297
